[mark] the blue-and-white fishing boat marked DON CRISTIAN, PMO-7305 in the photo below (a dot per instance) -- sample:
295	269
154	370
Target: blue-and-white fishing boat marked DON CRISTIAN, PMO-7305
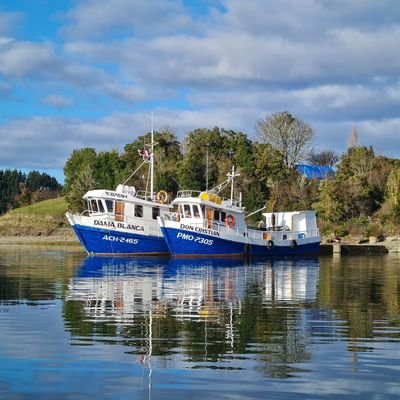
206	224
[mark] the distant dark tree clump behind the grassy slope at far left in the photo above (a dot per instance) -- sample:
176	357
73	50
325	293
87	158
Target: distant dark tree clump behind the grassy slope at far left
18	189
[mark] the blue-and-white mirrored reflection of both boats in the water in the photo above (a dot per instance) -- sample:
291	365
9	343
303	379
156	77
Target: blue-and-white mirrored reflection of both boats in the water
189	288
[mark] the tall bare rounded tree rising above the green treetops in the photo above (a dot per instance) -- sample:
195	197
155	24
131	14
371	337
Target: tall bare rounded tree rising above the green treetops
287	134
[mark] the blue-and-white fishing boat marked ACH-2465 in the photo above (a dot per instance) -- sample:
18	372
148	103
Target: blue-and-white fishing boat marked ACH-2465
123	221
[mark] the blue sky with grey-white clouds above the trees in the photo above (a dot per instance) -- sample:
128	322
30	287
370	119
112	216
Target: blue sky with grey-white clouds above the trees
91	73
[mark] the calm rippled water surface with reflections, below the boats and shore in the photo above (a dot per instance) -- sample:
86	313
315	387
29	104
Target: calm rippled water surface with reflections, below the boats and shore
73	327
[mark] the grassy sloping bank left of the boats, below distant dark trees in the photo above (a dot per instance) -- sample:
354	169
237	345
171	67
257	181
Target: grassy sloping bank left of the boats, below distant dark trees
43	219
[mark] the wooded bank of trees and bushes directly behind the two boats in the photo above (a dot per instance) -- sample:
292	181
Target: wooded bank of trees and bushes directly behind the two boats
362	197
